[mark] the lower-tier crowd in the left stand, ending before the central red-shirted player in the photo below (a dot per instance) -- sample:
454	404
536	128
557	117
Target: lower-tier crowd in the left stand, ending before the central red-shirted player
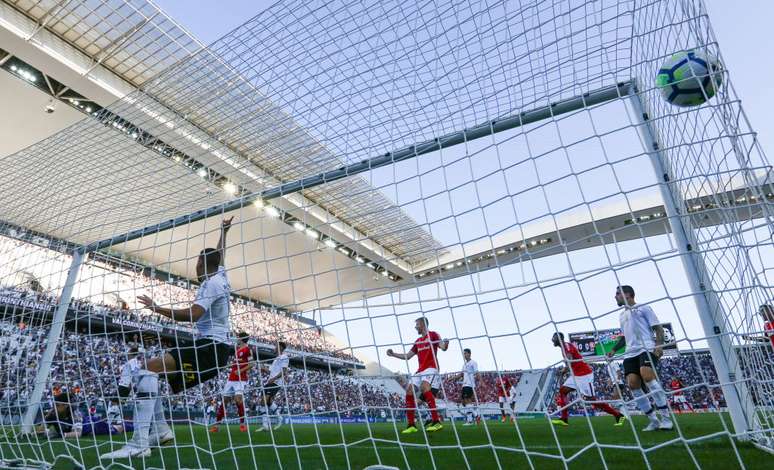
88	366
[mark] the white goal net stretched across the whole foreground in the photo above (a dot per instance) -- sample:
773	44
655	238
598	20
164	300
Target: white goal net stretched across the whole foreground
490	171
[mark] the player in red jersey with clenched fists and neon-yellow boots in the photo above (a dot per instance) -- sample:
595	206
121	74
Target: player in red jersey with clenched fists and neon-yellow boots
427	377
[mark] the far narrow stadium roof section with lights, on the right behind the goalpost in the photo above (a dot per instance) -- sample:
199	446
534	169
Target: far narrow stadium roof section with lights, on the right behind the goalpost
616	222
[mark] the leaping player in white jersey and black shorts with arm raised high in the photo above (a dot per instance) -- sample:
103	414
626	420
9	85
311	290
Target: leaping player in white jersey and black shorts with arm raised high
189	365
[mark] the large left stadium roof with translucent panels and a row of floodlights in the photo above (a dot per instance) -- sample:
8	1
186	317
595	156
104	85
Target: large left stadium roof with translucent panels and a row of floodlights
99	49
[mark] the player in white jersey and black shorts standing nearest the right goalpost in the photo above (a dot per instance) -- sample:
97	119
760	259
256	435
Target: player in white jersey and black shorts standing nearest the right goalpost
638	325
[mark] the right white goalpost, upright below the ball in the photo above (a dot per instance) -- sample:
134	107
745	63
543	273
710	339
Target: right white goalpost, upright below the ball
711	311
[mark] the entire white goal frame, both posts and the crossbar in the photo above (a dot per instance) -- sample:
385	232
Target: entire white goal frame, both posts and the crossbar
717	334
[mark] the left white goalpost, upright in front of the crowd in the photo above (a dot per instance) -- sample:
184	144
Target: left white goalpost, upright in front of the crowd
52	343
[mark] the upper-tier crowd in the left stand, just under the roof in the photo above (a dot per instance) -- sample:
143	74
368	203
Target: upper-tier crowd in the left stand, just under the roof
105	289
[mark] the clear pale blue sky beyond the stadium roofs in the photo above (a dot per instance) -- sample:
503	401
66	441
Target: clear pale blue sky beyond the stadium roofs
500	314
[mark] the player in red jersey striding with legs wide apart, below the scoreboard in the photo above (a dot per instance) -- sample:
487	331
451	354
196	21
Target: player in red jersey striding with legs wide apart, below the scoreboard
581	379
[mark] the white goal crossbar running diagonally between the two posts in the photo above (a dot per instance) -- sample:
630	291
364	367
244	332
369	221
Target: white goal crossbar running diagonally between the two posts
567	105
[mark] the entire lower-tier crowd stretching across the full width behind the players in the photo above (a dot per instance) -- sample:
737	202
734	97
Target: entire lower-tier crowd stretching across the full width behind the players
88	366
